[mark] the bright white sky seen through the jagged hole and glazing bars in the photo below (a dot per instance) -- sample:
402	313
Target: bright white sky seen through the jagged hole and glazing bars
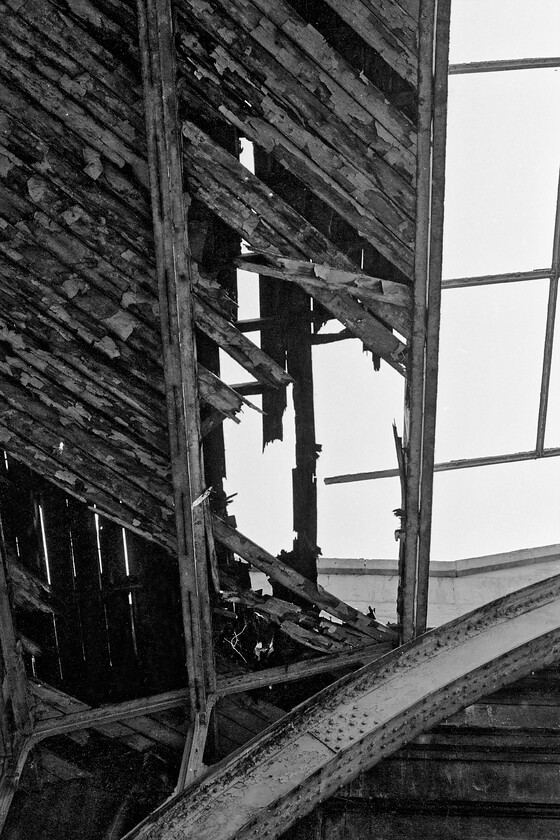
502	173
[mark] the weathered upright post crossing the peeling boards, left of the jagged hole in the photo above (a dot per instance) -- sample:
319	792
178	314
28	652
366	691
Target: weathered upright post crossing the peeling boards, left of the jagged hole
173	264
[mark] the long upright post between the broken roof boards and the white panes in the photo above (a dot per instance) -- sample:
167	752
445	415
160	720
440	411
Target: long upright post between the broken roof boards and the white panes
424	349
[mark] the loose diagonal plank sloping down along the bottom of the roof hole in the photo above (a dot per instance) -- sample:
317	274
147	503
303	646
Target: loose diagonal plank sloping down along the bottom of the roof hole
280	572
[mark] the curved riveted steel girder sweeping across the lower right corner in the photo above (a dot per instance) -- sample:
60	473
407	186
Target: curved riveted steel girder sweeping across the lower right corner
356	722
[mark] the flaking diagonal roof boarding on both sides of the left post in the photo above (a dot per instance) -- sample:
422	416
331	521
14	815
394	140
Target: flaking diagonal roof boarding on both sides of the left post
81	360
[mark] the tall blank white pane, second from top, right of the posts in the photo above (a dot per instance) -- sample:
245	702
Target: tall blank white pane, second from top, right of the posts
502	172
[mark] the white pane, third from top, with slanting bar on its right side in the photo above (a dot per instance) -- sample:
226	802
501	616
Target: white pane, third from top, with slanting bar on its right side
490	369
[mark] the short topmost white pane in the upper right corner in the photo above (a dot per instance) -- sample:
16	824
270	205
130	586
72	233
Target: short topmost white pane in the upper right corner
493	29
